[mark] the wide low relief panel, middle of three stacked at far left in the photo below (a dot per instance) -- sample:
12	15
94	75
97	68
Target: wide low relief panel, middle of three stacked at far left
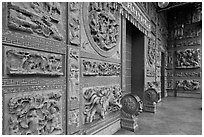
25	62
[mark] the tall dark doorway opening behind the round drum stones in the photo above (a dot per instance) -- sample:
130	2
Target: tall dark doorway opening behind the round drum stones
135	41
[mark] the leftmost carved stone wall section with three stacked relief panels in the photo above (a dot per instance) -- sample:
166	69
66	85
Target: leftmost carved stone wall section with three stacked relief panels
33	68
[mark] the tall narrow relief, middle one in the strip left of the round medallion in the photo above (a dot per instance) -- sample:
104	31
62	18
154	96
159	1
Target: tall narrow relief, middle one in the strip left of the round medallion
74	74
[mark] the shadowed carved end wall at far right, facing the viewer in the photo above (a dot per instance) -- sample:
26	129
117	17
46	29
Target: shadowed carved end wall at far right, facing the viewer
185	41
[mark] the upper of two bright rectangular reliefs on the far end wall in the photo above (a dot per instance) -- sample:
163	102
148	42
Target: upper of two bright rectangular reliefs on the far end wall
189	58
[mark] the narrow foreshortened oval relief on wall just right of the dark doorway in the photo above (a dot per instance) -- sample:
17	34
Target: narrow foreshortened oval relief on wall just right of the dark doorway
151	53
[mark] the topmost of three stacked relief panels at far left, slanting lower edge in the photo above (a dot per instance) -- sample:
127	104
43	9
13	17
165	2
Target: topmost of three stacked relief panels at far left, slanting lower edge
41	18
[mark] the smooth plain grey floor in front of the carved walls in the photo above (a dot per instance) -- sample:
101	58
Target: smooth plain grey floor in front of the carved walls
174	116
